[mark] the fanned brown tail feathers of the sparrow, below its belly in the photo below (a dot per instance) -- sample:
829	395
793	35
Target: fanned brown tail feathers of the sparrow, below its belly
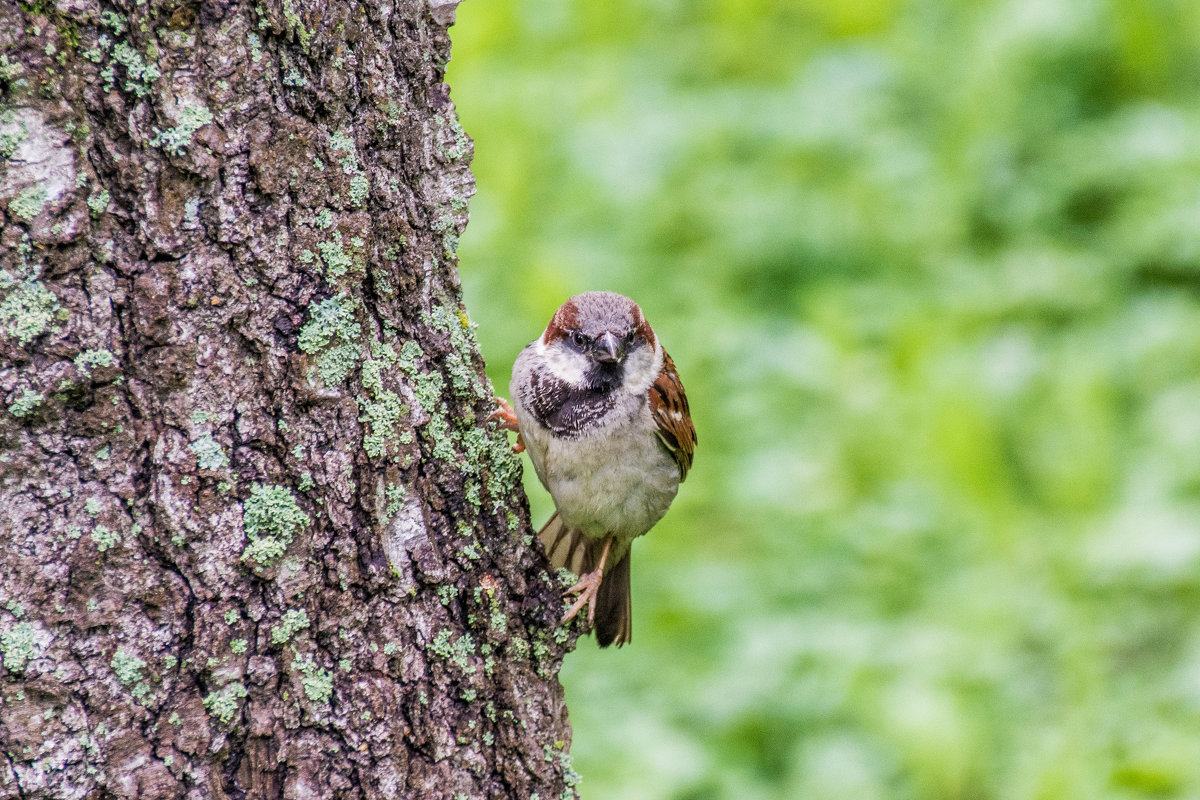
580	555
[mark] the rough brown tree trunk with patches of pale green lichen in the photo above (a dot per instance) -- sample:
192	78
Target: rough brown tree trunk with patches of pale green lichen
256	539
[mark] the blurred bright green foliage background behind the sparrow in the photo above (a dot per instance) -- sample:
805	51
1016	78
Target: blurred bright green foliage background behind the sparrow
932	275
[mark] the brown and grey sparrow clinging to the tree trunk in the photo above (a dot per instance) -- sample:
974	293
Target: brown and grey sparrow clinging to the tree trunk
599	407
